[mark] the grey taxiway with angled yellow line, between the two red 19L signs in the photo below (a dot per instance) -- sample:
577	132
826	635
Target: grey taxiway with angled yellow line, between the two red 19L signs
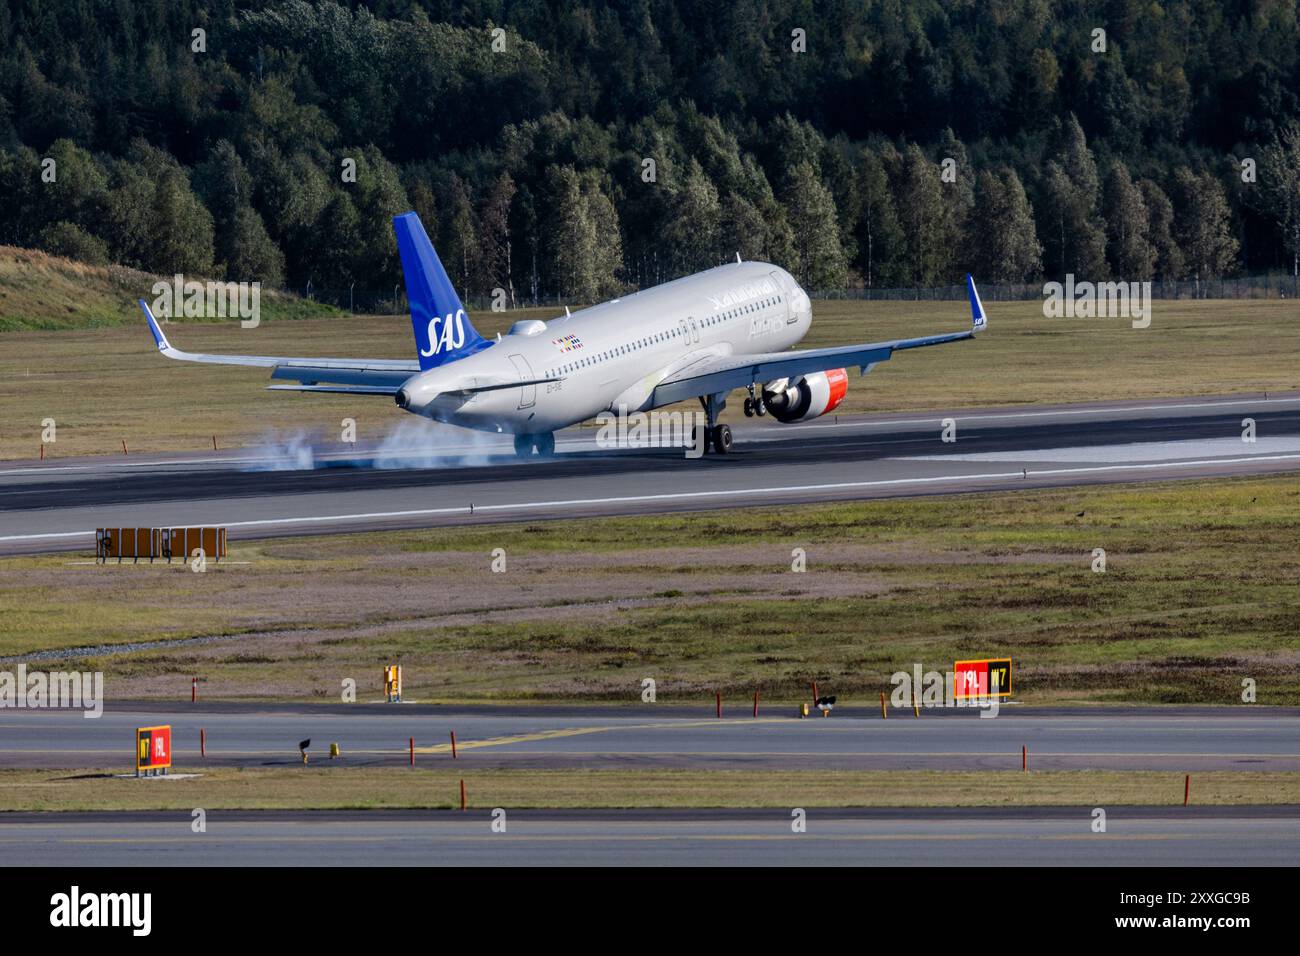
666	738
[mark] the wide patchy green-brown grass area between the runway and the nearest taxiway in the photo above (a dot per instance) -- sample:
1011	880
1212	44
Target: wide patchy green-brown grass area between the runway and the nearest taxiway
1202	591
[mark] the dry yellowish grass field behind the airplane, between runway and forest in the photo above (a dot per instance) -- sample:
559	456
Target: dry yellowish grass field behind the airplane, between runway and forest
107	386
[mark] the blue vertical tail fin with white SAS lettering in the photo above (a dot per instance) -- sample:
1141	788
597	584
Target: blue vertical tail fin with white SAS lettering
443	330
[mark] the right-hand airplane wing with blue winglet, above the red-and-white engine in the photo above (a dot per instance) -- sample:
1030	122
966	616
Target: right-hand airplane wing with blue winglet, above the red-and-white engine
720	375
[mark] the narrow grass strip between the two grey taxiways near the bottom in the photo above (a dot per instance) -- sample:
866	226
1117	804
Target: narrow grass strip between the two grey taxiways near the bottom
326	786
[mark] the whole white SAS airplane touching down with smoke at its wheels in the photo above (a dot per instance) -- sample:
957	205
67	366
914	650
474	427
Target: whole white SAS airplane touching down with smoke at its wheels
700	338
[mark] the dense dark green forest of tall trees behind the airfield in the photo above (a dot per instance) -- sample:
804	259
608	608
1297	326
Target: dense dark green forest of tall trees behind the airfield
580	150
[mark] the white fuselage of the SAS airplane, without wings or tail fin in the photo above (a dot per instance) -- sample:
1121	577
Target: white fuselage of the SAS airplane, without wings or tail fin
613	356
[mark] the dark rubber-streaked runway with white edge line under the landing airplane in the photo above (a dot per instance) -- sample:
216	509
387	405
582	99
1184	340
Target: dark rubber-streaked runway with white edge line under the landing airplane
57	505
